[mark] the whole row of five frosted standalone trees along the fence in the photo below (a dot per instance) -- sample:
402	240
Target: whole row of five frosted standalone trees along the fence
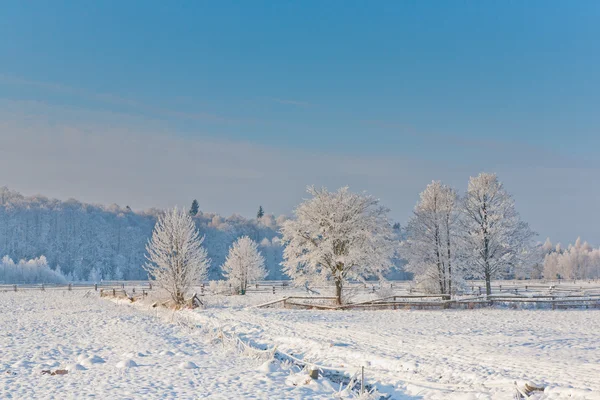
341	236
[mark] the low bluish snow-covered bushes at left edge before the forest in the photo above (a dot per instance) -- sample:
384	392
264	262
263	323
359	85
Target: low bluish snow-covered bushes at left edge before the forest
30	271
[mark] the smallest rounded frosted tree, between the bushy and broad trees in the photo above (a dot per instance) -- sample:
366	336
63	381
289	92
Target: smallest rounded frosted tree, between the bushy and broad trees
244	264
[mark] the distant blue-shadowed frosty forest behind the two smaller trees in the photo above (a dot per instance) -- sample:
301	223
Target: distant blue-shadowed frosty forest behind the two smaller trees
111	239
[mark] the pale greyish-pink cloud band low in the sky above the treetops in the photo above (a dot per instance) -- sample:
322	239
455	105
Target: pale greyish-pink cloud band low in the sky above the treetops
106	158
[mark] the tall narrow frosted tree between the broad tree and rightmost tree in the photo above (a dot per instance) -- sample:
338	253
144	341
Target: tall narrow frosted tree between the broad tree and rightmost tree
431	238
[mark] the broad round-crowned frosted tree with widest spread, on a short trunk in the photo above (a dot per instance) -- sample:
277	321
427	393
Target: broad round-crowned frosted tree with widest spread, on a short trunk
337	236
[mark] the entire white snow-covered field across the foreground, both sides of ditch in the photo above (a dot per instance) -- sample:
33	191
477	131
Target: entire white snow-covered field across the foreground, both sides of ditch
450	354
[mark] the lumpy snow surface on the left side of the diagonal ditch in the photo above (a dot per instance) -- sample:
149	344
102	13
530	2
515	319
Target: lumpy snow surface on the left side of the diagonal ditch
117	351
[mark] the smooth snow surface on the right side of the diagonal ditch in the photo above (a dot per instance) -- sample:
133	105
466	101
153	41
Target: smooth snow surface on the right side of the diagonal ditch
449	354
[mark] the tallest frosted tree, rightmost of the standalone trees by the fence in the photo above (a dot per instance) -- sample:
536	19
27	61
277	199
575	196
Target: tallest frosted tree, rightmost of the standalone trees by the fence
494	240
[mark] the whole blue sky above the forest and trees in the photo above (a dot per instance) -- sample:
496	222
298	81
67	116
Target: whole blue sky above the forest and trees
409	90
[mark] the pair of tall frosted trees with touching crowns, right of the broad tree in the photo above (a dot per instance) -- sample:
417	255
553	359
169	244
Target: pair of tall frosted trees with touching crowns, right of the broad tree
479	235
